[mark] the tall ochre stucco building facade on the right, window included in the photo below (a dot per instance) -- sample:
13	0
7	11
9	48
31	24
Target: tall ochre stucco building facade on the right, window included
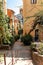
30	8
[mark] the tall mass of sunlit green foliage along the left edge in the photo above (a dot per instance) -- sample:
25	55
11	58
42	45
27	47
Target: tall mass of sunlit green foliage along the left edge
5	34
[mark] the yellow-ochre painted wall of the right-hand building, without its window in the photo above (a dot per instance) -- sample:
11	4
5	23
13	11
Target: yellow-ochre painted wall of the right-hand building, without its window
30	10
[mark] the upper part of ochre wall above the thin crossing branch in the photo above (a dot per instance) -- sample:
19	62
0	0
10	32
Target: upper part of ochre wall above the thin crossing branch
30	9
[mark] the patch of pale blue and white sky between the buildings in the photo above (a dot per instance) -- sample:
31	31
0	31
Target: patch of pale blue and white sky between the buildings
14	5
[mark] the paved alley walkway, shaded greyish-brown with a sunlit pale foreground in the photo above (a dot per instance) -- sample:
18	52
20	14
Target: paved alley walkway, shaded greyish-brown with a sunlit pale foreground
21	55
